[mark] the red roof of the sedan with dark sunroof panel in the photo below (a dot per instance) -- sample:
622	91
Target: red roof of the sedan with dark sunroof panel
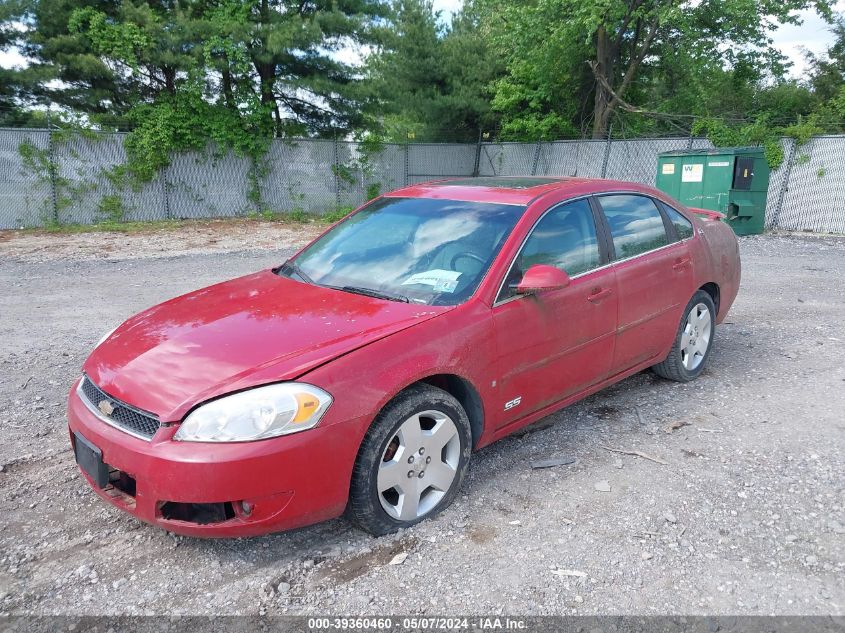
517	190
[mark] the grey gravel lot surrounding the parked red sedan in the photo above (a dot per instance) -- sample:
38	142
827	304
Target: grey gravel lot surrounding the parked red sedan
747	516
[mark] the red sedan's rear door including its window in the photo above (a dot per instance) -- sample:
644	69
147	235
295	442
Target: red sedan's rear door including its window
654	274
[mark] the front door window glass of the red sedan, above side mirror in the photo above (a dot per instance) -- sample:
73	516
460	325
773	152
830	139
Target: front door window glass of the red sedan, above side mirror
564	238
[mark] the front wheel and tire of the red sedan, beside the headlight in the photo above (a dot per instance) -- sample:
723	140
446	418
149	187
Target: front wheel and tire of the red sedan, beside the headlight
400	476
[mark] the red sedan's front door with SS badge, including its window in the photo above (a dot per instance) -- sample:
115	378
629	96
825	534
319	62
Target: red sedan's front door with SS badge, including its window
556	343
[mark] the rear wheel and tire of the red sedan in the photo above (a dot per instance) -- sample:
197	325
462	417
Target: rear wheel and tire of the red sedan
691	348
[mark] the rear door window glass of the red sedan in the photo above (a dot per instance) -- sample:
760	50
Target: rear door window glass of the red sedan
636	225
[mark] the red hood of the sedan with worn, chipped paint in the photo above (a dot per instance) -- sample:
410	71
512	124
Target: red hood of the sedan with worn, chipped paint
238	334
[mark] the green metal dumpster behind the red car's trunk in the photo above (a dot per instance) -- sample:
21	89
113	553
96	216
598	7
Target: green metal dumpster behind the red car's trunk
733	181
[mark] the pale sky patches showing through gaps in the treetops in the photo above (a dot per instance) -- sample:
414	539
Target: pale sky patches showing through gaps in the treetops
813	34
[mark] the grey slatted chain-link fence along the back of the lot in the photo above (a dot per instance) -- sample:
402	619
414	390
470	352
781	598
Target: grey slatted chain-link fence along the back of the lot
49	177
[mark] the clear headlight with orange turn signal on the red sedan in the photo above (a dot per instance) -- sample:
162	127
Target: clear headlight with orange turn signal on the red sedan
256	414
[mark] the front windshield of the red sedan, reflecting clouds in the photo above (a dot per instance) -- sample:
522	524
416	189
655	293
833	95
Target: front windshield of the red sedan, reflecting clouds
409	249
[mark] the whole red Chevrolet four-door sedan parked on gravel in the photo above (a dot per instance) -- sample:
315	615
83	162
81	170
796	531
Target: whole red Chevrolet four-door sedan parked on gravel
361	374
